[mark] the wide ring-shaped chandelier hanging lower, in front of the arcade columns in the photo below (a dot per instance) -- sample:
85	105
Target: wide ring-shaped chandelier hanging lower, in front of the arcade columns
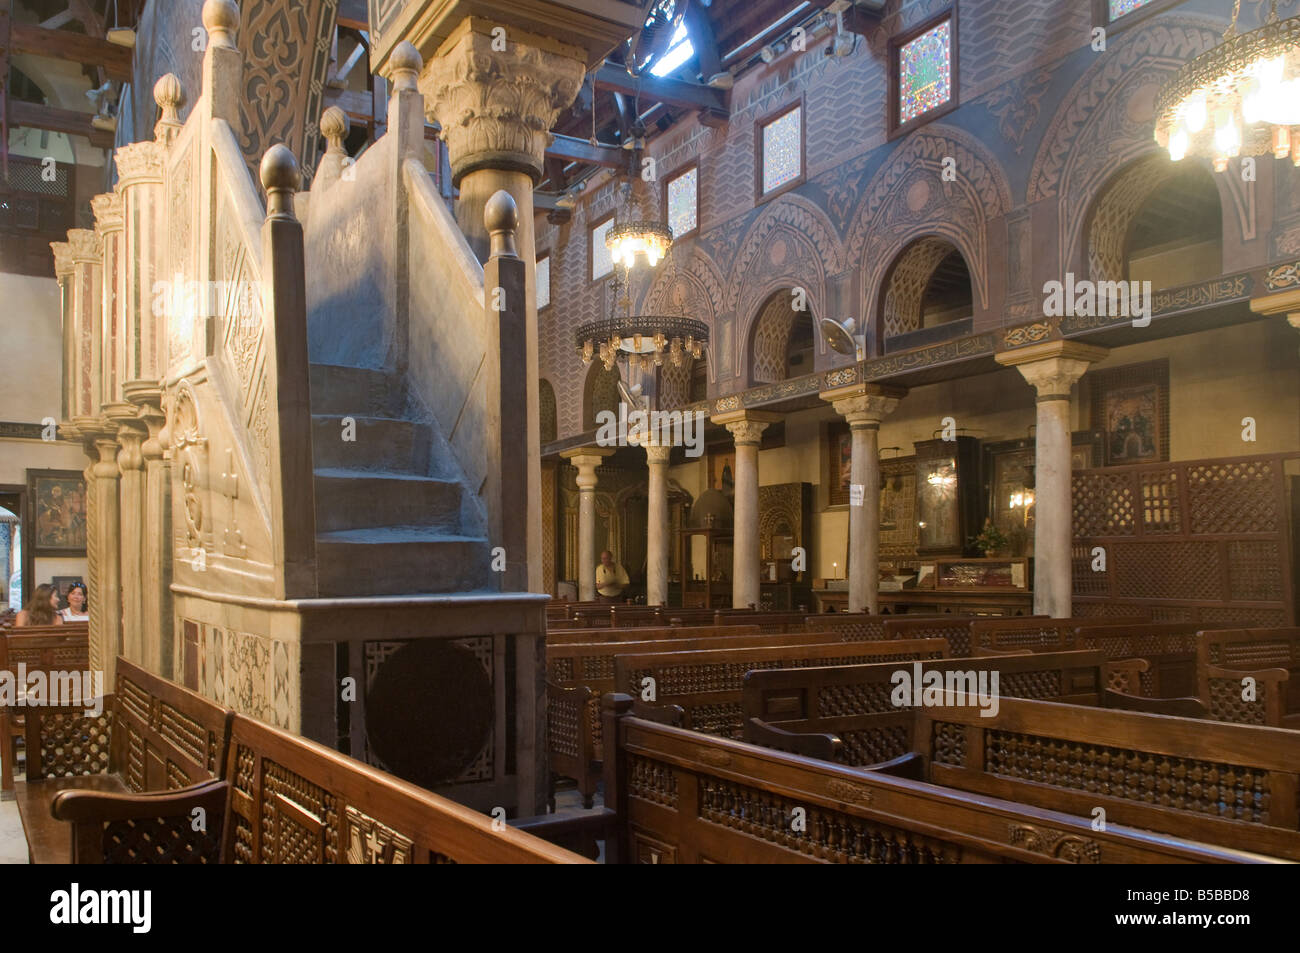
644	340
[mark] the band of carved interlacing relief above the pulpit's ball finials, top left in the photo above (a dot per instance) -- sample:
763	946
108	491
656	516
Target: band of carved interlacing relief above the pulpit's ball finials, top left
285	47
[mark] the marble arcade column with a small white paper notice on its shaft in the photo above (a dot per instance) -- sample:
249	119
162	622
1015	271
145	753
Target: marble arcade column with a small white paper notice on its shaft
865	406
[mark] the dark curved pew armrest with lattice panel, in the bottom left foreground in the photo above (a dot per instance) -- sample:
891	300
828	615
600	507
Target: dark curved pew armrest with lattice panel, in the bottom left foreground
159	828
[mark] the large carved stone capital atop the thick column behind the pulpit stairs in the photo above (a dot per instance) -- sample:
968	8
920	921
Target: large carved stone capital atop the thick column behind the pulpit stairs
496	107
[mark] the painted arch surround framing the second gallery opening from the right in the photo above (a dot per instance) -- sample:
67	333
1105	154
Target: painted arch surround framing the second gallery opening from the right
909	200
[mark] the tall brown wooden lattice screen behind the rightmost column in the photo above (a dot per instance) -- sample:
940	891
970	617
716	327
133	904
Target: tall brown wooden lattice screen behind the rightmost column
1202	542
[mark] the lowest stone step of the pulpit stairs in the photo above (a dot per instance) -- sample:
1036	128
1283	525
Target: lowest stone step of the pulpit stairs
400	561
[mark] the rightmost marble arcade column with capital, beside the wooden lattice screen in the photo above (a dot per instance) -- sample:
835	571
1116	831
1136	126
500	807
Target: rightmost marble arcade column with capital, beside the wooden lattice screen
1052	369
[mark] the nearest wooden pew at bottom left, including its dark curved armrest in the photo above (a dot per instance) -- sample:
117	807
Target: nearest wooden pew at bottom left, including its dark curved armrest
289	800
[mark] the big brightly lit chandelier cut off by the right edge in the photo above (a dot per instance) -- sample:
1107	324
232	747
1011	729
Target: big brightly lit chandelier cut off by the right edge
1240	99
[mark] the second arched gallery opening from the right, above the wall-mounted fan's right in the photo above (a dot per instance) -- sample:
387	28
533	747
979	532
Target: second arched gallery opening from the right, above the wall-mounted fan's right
928	296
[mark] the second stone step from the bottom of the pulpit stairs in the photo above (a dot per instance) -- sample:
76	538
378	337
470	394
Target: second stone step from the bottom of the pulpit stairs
361	500
